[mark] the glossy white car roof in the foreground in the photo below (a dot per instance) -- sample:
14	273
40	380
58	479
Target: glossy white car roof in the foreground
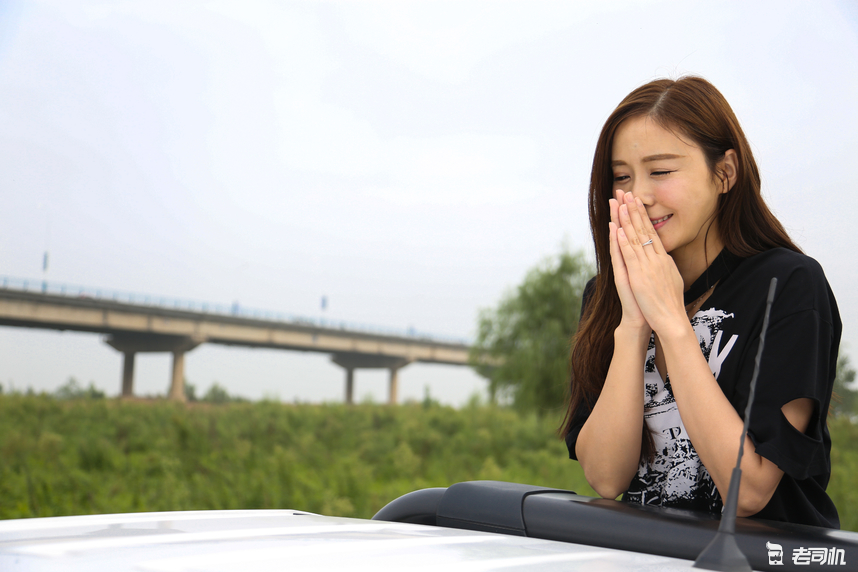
263	540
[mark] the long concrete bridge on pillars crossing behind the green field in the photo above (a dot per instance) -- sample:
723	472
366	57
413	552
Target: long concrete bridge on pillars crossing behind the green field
148	324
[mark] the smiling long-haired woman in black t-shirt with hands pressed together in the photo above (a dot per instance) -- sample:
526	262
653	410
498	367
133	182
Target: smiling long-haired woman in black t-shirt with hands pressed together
665	349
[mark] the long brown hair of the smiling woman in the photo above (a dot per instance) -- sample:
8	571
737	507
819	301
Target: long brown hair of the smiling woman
692	108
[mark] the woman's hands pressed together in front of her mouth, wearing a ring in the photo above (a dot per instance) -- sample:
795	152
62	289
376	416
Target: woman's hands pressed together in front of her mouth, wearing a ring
648	282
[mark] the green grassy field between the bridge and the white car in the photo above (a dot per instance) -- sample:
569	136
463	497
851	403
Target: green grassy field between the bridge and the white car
64	457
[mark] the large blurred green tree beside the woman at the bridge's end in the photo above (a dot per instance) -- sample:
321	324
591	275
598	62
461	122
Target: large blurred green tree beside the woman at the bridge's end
522	346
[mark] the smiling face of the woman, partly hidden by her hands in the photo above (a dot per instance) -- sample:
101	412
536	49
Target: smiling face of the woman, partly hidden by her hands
674	182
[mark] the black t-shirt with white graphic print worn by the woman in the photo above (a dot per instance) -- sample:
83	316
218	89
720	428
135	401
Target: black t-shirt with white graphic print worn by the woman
799	361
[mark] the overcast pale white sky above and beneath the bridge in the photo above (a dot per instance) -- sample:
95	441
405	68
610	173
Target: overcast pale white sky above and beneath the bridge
408	160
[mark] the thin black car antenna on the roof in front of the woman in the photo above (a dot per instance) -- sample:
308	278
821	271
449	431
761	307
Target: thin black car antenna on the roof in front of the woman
723	553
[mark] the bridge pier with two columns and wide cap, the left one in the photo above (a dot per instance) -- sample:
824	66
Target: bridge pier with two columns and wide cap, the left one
131	343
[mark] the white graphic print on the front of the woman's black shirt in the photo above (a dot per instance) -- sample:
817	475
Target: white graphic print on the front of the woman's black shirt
676	477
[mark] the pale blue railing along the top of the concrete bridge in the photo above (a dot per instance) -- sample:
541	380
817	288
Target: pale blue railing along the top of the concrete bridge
234	309
